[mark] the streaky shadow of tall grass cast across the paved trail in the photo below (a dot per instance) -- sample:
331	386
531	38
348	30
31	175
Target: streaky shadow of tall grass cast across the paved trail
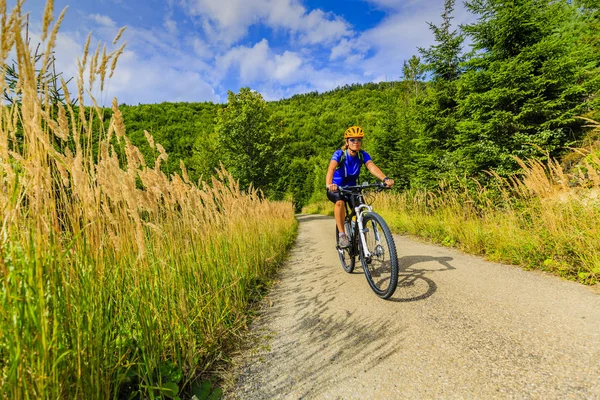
322	335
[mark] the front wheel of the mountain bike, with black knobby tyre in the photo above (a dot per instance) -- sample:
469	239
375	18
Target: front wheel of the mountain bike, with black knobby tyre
381	262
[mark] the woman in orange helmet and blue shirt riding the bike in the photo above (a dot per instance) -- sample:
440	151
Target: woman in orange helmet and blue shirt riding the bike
343	170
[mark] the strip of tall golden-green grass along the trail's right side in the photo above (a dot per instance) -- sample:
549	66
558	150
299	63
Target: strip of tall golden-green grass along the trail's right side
545	218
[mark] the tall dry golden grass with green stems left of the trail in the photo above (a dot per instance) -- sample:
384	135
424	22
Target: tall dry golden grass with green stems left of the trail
115	279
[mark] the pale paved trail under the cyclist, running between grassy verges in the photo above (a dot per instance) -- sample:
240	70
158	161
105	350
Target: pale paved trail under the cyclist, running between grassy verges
457	327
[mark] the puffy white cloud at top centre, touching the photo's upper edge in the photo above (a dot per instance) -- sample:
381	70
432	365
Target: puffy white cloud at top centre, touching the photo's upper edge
227	21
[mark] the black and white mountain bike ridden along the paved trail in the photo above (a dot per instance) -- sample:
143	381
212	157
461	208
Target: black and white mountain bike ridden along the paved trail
370	240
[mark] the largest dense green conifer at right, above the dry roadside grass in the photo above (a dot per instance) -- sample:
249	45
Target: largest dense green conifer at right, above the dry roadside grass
517	95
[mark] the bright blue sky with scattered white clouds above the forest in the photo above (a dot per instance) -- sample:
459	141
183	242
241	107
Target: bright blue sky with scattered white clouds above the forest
197	50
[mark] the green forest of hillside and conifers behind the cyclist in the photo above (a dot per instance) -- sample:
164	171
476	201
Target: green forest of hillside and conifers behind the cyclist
456	112
